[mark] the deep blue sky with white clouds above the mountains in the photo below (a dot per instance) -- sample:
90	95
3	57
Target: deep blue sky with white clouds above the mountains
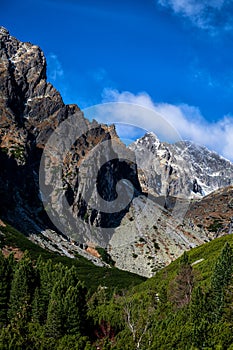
175	56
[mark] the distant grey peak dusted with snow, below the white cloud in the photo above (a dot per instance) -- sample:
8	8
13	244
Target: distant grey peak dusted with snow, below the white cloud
179	169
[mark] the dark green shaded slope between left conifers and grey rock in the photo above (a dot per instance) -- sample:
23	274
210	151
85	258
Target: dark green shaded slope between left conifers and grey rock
92	275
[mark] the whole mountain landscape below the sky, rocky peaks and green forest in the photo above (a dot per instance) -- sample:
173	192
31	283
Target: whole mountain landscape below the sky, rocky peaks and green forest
180	198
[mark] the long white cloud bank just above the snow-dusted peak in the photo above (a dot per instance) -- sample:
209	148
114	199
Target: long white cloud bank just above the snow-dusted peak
185	121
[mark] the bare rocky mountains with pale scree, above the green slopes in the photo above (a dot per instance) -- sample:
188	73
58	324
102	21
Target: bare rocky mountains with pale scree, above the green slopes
63	178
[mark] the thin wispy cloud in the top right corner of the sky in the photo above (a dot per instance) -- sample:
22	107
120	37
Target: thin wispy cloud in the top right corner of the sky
205	14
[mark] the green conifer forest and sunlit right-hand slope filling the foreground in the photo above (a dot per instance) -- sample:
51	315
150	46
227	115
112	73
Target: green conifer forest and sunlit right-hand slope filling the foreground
188	305
